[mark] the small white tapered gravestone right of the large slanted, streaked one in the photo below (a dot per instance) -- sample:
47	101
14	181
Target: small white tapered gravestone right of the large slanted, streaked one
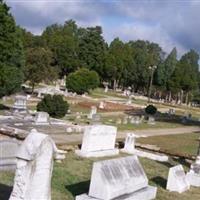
177	181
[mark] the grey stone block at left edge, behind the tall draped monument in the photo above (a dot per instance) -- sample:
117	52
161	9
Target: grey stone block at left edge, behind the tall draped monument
8	152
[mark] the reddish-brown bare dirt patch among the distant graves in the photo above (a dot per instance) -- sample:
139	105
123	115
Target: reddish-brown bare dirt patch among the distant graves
109	106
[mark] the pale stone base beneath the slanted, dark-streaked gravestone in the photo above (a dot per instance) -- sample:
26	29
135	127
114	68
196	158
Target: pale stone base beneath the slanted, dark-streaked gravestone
146	193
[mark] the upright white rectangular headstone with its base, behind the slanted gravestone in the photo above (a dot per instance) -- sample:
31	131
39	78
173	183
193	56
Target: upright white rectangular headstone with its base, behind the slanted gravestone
98	140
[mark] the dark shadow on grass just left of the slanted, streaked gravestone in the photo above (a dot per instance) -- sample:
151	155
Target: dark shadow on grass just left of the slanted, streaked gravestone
78	188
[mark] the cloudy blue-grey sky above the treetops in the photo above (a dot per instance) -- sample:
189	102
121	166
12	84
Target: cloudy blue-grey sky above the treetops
167	22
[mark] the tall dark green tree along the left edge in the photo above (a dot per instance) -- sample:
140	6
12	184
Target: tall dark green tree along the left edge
11	53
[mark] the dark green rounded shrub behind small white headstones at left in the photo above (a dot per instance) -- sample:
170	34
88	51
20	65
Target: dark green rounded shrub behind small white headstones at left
54	105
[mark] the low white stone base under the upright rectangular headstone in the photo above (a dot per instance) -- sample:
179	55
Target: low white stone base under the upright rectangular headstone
103	153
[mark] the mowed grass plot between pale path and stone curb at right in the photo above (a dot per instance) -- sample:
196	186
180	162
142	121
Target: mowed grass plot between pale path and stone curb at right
182	143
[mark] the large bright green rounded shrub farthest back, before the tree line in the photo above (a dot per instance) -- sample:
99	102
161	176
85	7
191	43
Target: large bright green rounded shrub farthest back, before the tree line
82	81
